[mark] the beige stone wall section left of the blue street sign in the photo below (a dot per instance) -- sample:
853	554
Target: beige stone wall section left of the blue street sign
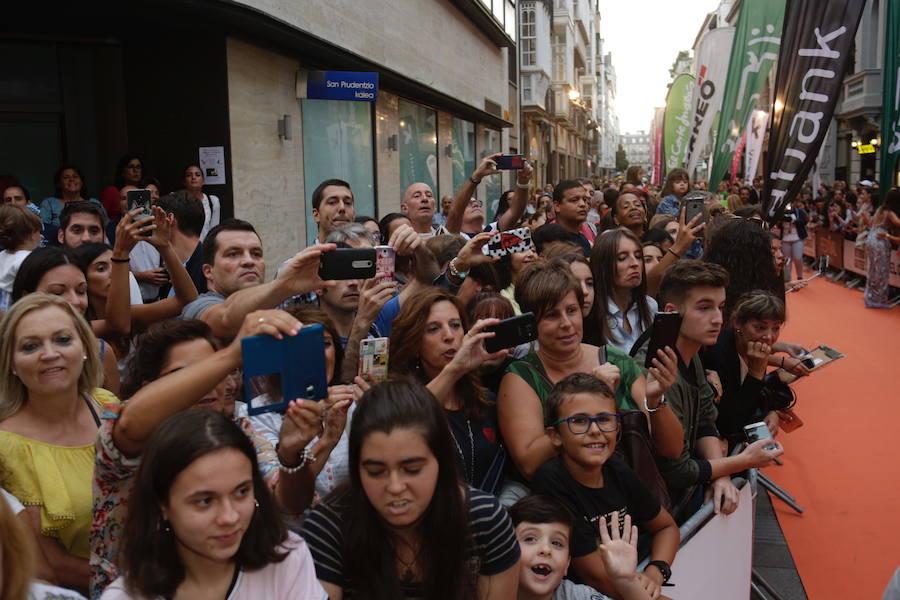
267	172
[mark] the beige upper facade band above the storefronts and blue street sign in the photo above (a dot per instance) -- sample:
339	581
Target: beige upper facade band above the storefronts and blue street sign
429	41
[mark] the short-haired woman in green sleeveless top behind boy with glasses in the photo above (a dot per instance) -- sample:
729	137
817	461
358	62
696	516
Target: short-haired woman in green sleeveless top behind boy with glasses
553	294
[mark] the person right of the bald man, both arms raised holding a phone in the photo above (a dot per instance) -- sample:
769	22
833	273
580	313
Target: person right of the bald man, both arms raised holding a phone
466	214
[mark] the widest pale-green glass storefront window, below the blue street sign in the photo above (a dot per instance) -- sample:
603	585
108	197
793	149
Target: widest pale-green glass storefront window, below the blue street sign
337	144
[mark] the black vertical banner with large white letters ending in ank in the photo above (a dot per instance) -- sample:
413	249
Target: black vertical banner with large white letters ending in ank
816	52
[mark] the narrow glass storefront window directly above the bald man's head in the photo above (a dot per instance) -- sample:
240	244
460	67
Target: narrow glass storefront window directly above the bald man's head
418	146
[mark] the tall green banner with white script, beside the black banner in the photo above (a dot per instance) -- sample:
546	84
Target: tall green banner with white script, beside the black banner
757	41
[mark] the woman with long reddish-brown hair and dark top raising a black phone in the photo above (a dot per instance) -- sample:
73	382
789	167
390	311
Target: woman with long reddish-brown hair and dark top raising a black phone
432	342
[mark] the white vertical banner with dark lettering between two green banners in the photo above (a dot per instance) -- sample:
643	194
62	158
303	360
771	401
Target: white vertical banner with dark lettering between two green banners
710	70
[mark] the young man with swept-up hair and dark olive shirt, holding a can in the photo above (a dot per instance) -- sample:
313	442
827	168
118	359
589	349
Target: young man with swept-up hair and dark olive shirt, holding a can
696	290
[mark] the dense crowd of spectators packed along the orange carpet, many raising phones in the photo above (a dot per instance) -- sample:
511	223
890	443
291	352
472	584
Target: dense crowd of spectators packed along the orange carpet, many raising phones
132	468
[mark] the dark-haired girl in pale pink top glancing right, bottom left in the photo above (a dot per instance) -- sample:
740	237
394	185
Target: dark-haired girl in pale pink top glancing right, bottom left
202	523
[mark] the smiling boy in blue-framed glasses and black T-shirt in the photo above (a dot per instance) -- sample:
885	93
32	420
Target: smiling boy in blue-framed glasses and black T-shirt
584	428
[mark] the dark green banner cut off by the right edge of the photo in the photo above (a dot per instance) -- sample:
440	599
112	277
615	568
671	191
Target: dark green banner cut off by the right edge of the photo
890	118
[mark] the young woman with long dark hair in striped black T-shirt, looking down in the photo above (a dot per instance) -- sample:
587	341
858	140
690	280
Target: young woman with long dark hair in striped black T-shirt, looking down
406	525
